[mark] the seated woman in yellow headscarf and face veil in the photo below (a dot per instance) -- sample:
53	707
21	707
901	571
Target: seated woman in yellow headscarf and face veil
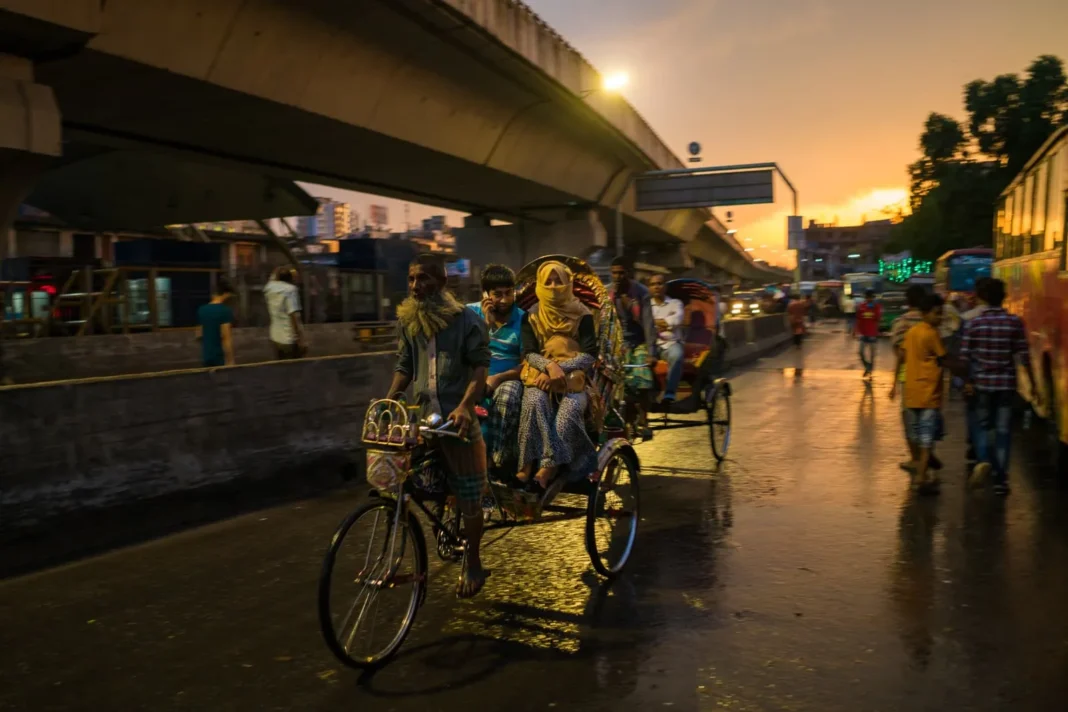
559	346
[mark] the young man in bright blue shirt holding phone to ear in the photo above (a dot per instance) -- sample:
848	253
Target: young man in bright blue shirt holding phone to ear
504	389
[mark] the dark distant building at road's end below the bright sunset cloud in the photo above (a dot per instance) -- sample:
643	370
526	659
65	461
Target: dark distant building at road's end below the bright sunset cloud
831	250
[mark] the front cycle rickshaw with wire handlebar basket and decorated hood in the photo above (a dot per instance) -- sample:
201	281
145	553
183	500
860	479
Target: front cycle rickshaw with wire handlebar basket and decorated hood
404	468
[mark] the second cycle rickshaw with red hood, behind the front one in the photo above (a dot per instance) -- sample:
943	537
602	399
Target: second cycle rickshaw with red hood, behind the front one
704	358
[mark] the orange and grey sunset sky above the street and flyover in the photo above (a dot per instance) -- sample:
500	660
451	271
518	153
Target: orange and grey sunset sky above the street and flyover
836	91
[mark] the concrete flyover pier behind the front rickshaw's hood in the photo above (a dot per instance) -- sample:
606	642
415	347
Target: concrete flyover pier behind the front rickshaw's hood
517	244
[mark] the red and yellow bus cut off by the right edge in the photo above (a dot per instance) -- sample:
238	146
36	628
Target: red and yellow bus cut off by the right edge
1029	241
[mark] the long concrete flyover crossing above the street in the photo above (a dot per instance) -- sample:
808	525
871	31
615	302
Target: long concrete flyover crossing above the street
474	105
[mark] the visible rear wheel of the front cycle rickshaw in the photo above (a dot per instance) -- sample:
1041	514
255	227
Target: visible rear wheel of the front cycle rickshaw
612	515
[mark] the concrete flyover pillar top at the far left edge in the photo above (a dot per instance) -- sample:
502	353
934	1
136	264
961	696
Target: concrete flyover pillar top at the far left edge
30	134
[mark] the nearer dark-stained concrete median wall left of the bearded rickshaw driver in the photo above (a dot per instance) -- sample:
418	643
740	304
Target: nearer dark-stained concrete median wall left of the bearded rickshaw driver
97	464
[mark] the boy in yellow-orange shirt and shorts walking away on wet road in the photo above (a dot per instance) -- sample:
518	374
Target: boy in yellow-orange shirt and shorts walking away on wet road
924	358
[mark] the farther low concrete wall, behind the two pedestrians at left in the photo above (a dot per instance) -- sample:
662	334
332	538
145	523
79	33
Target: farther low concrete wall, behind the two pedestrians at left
55	359
